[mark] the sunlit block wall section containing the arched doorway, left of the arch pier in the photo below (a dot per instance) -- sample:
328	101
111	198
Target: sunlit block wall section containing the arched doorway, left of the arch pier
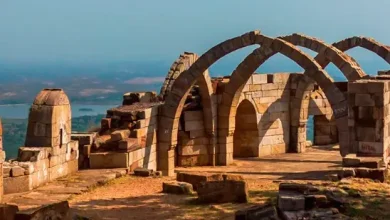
269	95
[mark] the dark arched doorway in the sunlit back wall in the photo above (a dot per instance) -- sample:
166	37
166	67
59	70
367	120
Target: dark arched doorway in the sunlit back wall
246	135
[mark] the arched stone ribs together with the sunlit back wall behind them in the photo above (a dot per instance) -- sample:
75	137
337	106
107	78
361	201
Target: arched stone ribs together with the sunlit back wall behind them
328	102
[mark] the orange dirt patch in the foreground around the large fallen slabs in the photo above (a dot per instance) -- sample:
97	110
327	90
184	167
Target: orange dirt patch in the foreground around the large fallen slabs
141	198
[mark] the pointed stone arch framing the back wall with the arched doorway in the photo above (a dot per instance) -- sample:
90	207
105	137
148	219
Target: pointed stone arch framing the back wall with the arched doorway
252	62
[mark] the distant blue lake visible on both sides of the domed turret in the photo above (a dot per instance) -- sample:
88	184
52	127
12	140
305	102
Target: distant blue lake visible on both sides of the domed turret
20	111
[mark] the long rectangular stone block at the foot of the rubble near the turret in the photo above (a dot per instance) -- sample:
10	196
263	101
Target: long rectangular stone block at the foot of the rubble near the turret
108	160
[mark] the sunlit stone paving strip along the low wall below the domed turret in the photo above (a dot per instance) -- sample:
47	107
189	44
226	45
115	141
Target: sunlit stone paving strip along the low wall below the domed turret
63	188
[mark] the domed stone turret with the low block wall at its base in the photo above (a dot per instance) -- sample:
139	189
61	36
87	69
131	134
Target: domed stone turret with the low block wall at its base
49	152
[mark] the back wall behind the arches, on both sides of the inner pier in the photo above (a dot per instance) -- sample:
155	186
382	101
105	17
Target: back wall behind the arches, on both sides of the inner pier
269	95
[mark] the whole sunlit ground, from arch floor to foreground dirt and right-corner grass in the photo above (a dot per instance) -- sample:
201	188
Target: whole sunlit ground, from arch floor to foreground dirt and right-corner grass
132	197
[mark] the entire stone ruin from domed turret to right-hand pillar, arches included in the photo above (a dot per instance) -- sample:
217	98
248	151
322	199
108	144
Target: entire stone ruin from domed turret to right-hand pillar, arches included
197	120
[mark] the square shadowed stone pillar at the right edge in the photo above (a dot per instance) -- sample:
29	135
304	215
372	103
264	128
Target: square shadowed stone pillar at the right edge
369	117
